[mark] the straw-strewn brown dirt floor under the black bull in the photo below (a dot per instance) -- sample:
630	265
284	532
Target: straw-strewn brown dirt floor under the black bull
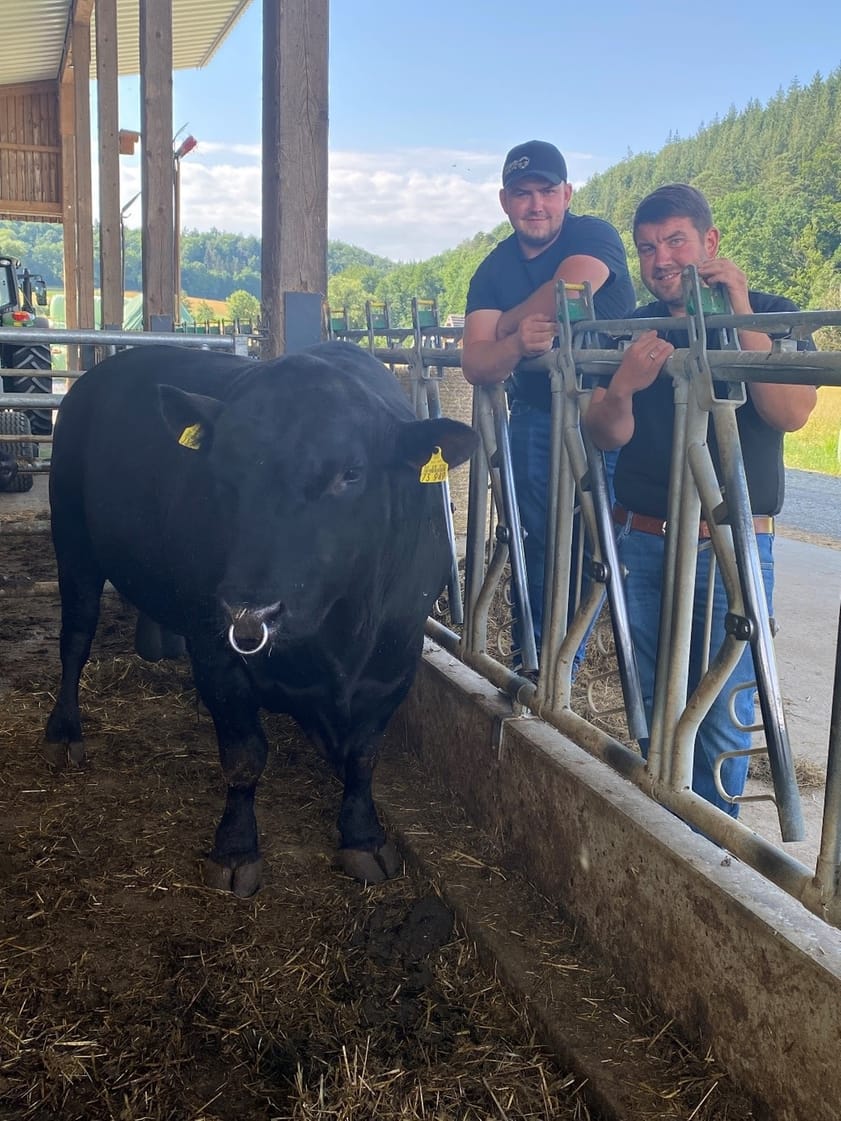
133	993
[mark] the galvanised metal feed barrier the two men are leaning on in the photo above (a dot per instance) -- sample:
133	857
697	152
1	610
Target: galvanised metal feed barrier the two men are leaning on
495	539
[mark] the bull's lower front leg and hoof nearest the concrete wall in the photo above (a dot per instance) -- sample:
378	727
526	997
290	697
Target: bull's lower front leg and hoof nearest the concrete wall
366	854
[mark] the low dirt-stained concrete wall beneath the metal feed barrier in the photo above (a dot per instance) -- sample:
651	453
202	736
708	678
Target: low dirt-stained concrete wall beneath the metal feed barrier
681	922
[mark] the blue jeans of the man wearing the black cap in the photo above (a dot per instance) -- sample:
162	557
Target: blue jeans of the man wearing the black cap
530	432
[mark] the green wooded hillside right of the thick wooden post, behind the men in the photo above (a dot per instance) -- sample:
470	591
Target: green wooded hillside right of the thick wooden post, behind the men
773	175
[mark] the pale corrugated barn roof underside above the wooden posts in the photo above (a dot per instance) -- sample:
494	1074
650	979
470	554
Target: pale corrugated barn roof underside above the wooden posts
34	35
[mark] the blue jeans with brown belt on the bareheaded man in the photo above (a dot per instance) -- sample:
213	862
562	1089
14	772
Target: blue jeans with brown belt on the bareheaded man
642	555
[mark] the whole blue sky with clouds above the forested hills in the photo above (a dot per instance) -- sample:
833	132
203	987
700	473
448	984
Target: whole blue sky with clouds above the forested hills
427	99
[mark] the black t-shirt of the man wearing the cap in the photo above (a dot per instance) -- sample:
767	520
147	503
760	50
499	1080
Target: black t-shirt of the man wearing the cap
506	279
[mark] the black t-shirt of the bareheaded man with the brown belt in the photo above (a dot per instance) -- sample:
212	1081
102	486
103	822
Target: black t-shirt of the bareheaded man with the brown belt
642	473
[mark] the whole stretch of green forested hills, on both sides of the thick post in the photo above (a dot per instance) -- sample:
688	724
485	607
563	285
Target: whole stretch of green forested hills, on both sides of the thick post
772	173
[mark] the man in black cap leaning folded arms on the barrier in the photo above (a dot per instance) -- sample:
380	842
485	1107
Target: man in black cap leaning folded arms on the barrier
511	318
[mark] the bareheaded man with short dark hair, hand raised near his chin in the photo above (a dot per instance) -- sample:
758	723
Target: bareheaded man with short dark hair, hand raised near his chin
673	228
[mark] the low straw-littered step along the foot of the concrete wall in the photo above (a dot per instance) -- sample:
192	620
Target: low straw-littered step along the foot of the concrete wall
571	1000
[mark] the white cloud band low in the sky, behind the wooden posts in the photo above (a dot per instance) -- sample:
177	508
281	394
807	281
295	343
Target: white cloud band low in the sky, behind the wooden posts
406	205
